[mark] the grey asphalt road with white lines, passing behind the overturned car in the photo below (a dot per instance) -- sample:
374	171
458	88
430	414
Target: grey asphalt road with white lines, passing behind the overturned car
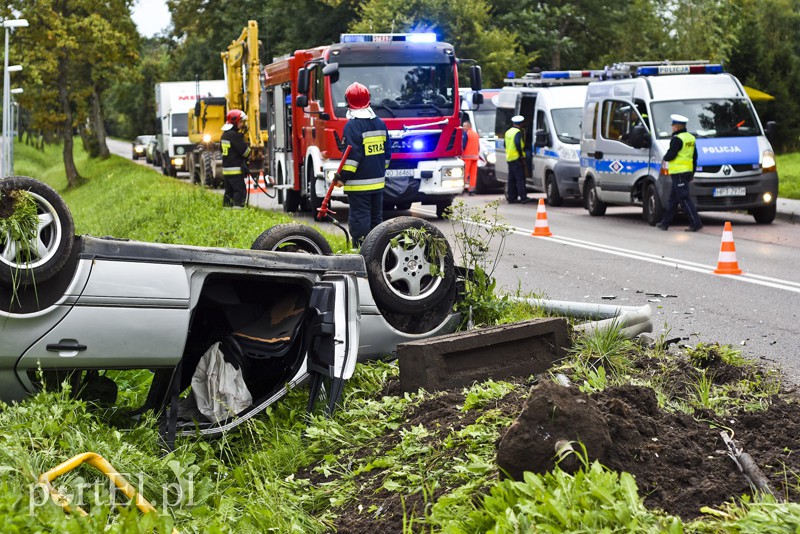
619	259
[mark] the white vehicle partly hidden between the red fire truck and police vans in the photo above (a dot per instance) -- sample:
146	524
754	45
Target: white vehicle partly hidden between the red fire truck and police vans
482	118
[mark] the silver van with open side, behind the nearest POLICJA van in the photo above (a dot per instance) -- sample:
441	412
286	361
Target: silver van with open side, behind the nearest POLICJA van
552	104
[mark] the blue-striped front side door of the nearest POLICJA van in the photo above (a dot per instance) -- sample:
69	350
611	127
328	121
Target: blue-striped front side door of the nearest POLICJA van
618	164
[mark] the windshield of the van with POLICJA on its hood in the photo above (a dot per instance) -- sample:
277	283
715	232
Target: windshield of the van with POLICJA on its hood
732	117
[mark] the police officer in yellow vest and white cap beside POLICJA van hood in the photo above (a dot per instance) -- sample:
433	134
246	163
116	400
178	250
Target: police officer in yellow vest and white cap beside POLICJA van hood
682	161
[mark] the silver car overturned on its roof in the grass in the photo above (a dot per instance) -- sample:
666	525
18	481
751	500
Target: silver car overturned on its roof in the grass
270	318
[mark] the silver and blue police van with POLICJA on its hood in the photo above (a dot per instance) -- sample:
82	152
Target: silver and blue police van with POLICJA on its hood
626	131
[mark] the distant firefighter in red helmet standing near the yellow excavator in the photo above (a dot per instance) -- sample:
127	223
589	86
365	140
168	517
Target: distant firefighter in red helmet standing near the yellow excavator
234	158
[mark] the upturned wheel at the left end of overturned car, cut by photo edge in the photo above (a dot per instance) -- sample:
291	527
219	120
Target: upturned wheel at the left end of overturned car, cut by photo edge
24	262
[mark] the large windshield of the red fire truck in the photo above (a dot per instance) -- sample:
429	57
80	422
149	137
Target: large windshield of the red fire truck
400	90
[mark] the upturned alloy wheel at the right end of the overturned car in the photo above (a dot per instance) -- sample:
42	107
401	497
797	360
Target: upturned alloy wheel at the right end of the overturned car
407	278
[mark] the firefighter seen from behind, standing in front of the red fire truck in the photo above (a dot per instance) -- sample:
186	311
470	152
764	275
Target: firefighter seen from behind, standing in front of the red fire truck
363	173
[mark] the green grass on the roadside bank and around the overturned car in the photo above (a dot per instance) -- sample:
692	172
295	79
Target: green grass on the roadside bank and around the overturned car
258	477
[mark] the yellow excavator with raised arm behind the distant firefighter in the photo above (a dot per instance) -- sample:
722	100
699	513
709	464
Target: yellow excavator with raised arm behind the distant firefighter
242	74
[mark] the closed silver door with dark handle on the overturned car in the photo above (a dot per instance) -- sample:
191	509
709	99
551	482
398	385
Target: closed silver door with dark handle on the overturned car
130	315
